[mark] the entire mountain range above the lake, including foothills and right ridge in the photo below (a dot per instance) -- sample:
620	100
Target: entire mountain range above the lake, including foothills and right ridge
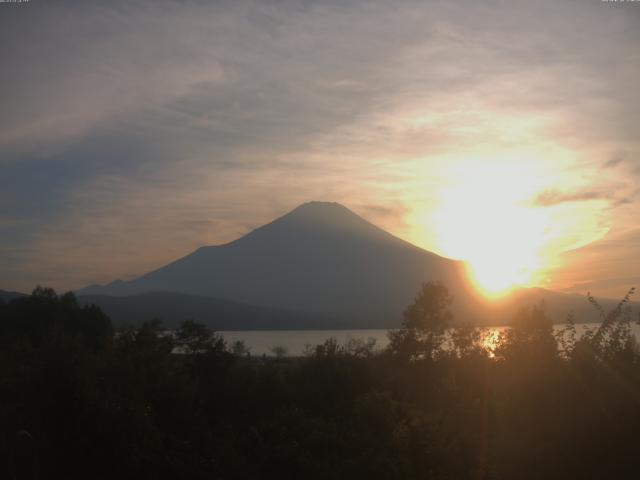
324	260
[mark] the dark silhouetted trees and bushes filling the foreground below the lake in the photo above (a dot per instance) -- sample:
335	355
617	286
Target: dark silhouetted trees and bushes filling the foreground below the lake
78	400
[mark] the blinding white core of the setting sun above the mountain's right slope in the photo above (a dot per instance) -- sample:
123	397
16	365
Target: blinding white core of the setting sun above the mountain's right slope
484	217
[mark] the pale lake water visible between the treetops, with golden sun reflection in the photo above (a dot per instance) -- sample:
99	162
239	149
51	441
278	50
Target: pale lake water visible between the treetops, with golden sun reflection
295	342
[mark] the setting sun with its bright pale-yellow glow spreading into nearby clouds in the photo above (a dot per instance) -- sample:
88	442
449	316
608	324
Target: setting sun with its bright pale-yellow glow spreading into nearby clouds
486	212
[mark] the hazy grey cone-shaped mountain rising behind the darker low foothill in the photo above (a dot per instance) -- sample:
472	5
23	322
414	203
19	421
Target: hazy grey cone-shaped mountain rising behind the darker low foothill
319	258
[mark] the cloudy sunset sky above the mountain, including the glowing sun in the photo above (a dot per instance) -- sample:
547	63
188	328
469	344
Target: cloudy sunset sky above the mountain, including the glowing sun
504	133
